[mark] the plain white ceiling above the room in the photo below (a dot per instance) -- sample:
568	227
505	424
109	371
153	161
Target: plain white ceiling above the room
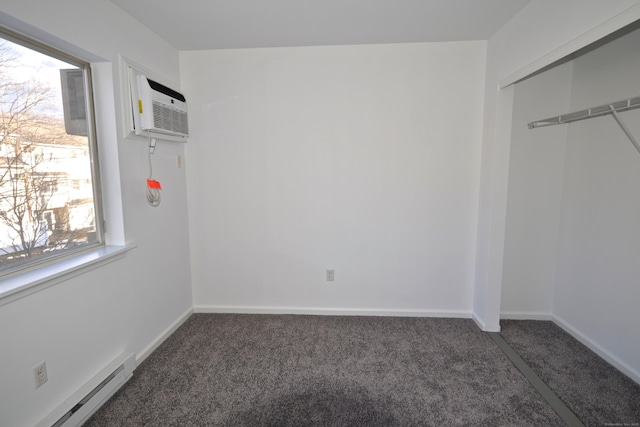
228	24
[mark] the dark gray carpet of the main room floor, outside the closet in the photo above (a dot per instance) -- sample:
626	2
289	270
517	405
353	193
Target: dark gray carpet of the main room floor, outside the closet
283	370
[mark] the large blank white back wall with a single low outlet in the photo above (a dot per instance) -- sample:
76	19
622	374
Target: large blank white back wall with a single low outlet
363	159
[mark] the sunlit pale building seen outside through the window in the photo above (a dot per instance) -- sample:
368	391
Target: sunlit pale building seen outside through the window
46	194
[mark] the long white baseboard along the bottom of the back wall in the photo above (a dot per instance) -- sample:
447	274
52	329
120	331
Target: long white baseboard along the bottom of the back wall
321	311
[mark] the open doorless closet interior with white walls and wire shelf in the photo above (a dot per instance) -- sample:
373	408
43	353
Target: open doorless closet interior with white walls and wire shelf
572	242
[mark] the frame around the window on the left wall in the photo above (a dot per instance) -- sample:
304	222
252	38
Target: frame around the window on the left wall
44	263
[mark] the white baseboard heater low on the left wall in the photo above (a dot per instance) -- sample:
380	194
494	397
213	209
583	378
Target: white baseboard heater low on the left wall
76	410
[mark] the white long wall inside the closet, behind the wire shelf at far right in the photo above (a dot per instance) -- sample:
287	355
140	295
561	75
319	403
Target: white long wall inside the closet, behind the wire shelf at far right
597	293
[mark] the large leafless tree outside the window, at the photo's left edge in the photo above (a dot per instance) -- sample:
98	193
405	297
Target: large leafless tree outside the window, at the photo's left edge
27	181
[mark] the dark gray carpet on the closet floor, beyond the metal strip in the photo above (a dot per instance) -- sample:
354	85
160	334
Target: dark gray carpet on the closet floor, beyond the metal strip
595	391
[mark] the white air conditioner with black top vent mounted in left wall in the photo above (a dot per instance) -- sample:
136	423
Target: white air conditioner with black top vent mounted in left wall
157	109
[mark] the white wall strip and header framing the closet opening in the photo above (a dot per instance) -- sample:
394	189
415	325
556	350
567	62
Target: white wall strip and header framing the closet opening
540	29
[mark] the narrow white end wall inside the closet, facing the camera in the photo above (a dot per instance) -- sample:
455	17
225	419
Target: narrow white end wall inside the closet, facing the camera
536	170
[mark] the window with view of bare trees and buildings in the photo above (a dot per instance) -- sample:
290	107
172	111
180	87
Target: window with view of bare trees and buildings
46	149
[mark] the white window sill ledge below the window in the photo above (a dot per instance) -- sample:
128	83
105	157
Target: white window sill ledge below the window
29	282
